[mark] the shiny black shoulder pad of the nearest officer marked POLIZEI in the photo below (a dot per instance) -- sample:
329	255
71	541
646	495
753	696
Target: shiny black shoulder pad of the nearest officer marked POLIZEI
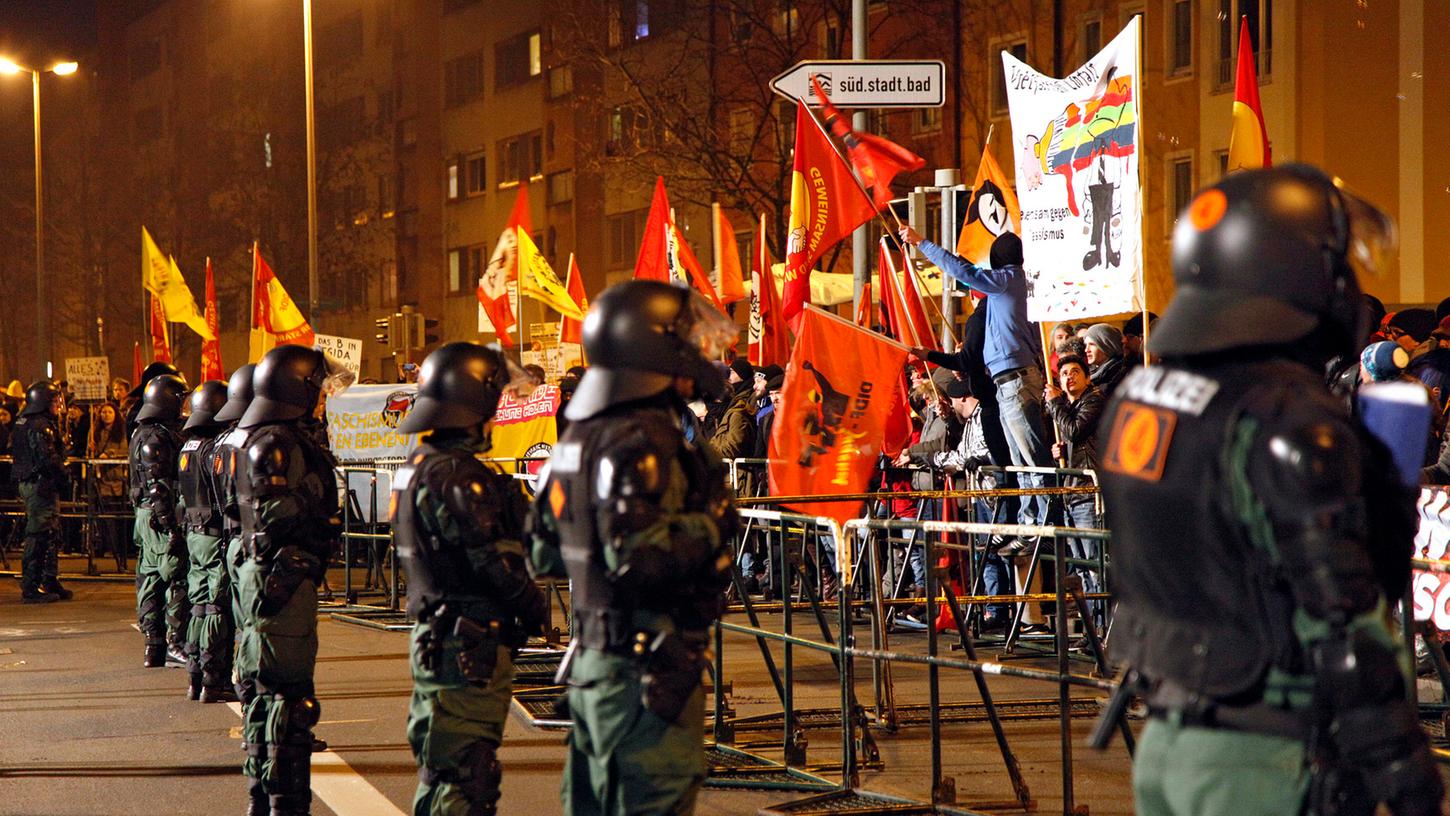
1314	462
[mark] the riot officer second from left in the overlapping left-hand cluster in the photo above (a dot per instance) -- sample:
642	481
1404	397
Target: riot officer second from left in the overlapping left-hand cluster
210	636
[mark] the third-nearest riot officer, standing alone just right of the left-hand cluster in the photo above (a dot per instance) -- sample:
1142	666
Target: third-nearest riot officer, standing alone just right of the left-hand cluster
459	530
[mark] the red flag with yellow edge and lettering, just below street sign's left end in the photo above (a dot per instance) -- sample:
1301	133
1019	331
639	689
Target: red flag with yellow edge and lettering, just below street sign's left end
826	207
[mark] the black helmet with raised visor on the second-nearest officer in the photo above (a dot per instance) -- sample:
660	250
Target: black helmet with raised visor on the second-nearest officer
640	337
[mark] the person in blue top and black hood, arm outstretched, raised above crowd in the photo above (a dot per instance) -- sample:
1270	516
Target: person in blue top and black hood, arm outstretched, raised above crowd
1013	353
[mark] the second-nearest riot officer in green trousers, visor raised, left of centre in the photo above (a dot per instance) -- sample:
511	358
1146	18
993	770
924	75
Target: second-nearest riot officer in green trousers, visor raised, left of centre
643	523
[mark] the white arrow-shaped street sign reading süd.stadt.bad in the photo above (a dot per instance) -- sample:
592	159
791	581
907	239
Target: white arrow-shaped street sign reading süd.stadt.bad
877	83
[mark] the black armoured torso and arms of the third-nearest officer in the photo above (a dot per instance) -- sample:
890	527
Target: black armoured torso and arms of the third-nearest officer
449	546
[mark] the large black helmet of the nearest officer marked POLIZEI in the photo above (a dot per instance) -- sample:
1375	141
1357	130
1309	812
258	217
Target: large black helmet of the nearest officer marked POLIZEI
1269	257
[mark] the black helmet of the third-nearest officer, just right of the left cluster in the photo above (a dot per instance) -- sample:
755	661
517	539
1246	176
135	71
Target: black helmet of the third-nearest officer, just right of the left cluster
459	388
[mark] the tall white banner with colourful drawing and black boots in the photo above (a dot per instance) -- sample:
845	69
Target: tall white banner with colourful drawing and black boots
1077	144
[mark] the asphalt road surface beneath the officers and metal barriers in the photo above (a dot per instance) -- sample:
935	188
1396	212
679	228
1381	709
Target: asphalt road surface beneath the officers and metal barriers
88	731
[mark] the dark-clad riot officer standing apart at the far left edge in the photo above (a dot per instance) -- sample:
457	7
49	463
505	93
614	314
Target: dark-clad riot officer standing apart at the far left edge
40	472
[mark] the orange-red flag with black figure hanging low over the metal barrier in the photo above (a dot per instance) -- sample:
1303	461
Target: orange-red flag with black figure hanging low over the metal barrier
839	392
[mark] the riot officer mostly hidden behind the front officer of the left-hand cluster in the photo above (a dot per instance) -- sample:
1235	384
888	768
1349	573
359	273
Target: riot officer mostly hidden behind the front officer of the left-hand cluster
224	478
